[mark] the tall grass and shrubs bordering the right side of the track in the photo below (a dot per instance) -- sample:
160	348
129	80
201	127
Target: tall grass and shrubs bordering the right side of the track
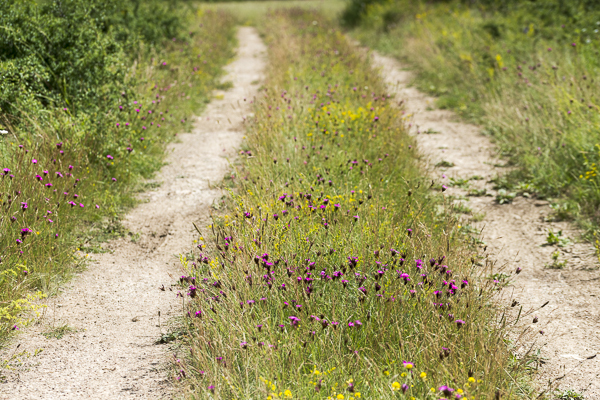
527	71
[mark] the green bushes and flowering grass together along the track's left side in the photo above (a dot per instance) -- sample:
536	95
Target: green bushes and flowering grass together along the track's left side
90	94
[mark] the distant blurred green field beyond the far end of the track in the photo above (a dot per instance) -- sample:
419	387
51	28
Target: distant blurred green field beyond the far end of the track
249	11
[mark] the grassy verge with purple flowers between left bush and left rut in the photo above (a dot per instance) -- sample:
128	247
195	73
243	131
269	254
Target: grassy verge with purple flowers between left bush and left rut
63	188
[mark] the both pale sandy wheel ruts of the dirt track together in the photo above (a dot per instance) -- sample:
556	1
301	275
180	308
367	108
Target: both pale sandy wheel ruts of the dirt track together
114	305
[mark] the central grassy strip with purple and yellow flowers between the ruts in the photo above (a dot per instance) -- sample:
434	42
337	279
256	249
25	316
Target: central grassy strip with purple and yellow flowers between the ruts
337	273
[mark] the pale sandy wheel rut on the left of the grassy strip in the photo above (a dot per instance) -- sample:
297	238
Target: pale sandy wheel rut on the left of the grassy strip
114	305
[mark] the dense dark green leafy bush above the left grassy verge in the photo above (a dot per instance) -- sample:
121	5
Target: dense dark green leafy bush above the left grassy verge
71	52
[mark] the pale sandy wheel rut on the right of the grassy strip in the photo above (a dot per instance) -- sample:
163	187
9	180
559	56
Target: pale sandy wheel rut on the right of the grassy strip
515	234
